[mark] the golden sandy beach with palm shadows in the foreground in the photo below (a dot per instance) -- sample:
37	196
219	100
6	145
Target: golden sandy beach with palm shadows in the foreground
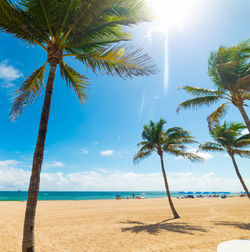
128	225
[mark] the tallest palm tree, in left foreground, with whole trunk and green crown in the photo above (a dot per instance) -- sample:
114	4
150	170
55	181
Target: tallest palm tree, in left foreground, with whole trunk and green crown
89	31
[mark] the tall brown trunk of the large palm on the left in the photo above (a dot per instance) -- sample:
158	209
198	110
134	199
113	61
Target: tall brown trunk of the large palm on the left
29	222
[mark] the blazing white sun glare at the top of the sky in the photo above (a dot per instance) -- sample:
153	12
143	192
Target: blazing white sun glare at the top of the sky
170	12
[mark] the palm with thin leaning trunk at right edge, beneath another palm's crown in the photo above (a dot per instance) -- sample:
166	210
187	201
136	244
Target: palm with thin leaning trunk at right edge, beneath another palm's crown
228	138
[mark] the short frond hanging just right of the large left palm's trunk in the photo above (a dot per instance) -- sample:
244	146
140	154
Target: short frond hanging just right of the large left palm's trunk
75	80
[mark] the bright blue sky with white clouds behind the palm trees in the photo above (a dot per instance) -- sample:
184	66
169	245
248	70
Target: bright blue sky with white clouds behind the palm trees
90	147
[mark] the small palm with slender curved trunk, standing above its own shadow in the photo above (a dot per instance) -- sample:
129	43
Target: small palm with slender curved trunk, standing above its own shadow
171	141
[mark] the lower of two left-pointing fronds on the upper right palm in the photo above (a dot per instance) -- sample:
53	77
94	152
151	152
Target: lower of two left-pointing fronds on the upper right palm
198	102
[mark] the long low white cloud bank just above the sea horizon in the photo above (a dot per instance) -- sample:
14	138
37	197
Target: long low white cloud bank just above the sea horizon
13	178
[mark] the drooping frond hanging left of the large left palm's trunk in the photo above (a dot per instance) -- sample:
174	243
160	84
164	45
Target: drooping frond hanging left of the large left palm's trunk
28	92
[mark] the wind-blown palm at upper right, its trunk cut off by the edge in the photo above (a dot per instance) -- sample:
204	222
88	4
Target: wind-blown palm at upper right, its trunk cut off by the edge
229	69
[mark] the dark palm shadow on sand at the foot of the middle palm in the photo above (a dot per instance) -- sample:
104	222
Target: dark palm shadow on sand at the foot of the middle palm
155	228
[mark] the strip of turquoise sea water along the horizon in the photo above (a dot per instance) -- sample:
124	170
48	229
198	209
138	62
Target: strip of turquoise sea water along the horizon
21	195
